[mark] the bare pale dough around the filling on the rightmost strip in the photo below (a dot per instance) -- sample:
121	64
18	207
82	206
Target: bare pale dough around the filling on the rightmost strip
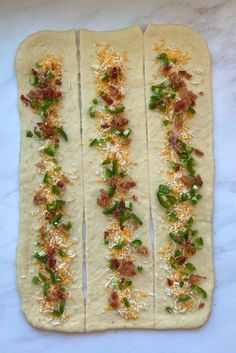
201	125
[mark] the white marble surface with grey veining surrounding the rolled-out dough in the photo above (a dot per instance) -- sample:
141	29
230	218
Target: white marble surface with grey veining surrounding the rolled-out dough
215	20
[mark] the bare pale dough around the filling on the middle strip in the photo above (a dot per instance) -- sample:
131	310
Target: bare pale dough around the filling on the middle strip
130	40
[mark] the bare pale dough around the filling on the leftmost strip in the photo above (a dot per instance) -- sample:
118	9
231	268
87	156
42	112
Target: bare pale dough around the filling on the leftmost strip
62	44
